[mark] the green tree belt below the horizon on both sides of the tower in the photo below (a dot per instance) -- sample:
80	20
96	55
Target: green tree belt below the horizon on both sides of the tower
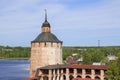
89	54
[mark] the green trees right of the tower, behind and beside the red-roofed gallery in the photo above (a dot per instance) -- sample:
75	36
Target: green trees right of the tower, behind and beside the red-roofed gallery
98	54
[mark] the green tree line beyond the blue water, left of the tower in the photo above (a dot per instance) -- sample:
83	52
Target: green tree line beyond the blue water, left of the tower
7	52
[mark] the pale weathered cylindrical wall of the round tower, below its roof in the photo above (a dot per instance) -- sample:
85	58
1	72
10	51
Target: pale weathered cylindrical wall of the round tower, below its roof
43	54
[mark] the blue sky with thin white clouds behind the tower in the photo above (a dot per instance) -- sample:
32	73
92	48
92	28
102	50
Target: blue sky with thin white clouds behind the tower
75	22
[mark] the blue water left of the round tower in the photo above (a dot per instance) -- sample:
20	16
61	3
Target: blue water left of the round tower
14	69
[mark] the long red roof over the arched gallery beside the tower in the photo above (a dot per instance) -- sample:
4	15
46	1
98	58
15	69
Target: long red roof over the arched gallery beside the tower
104	67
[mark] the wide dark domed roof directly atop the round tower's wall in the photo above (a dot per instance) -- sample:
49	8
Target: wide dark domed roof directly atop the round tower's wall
46	37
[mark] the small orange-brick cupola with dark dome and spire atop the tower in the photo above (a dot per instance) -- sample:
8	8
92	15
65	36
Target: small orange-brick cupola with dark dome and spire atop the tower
46	25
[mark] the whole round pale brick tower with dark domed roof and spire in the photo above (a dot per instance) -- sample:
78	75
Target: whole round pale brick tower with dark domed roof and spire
46	49
